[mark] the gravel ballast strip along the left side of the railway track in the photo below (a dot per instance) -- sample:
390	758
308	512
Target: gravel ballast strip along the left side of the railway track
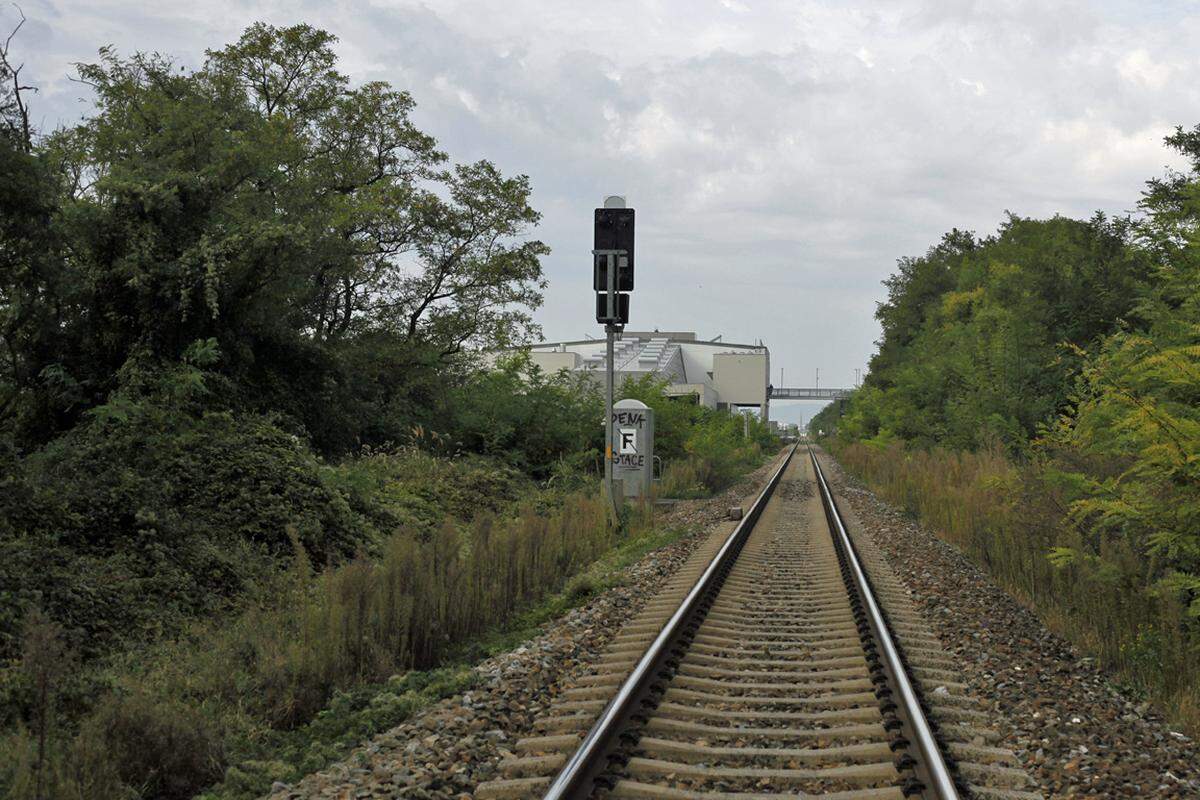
447	750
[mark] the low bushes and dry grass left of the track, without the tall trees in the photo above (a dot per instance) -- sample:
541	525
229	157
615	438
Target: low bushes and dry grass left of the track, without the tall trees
395	561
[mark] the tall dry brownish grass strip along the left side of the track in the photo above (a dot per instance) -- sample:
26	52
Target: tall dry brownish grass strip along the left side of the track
278	664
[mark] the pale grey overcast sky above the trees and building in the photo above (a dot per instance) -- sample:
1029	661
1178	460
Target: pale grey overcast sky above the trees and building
782	157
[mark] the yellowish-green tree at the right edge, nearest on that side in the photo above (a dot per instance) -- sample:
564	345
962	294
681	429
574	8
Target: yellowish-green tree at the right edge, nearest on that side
1131	447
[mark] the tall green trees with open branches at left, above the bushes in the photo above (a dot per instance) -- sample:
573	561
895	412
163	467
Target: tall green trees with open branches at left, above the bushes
262	201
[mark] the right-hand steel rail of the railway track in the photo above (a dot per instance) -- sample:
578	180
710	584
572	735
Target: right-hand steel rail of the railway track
932	757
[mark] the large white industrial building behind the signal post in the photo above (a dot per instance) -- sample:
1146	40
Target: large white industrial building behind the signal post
718	375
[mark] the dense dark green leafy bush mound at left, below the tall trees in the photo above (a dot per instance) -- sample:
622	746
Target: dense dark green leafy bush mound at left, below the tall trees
146	516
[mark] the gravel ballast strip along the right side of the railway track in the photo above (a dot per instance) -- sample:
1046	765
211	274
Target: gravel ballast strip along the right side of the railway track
1072	730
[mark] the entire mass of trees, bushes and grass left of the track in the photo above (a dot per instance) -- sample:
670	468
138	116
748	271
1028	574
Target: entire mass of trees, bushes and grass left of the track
259	497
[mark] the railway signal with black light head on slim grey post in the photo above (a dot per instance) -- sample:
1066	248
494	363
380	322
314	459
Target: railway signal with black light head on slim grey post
613	278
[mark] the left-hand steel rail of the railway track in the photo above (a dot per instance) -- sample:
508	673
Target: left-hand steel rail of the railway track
574	781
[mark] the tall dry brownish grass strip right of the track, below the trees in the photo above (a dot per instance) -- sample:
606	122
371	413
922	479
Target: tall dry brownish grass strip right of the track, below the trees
1010	520
